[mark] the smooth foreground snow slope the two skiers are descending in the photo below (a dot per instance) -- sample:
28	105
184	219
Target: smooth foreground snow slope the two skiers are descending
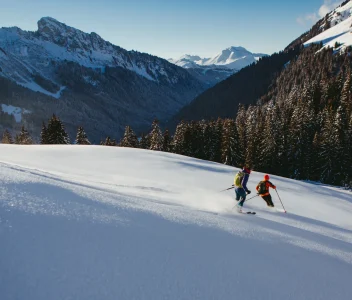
95	222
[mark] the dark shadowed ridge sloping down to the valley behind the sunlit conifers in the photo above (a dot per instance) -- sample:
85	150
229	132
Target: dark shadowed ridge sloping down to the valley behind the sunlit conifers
245	86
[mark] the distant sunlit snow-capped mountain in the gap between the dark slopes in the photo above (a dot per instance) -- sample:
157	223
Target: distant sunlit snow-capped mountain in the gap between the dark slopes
215	69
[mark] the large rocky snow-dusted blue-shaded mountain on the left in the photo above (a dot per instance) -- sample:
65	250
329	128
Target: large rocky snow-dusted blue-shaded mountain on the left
86	81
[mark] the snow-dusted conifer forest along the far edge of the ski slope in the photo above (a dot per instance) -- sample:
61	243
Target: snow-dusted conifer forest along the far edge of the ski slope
301	128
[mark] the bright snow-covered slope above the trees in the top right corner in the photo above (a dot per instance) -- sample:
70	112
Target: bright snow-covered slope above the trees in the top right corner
340	31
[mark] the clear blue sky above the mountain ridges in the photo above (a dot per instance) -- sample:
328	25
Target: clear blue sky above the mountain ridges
172	28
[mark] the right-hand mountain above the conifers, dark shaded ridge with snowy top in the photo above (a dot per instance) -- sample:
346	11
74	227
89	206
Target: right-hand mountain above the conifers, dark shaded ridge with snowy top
257	81
